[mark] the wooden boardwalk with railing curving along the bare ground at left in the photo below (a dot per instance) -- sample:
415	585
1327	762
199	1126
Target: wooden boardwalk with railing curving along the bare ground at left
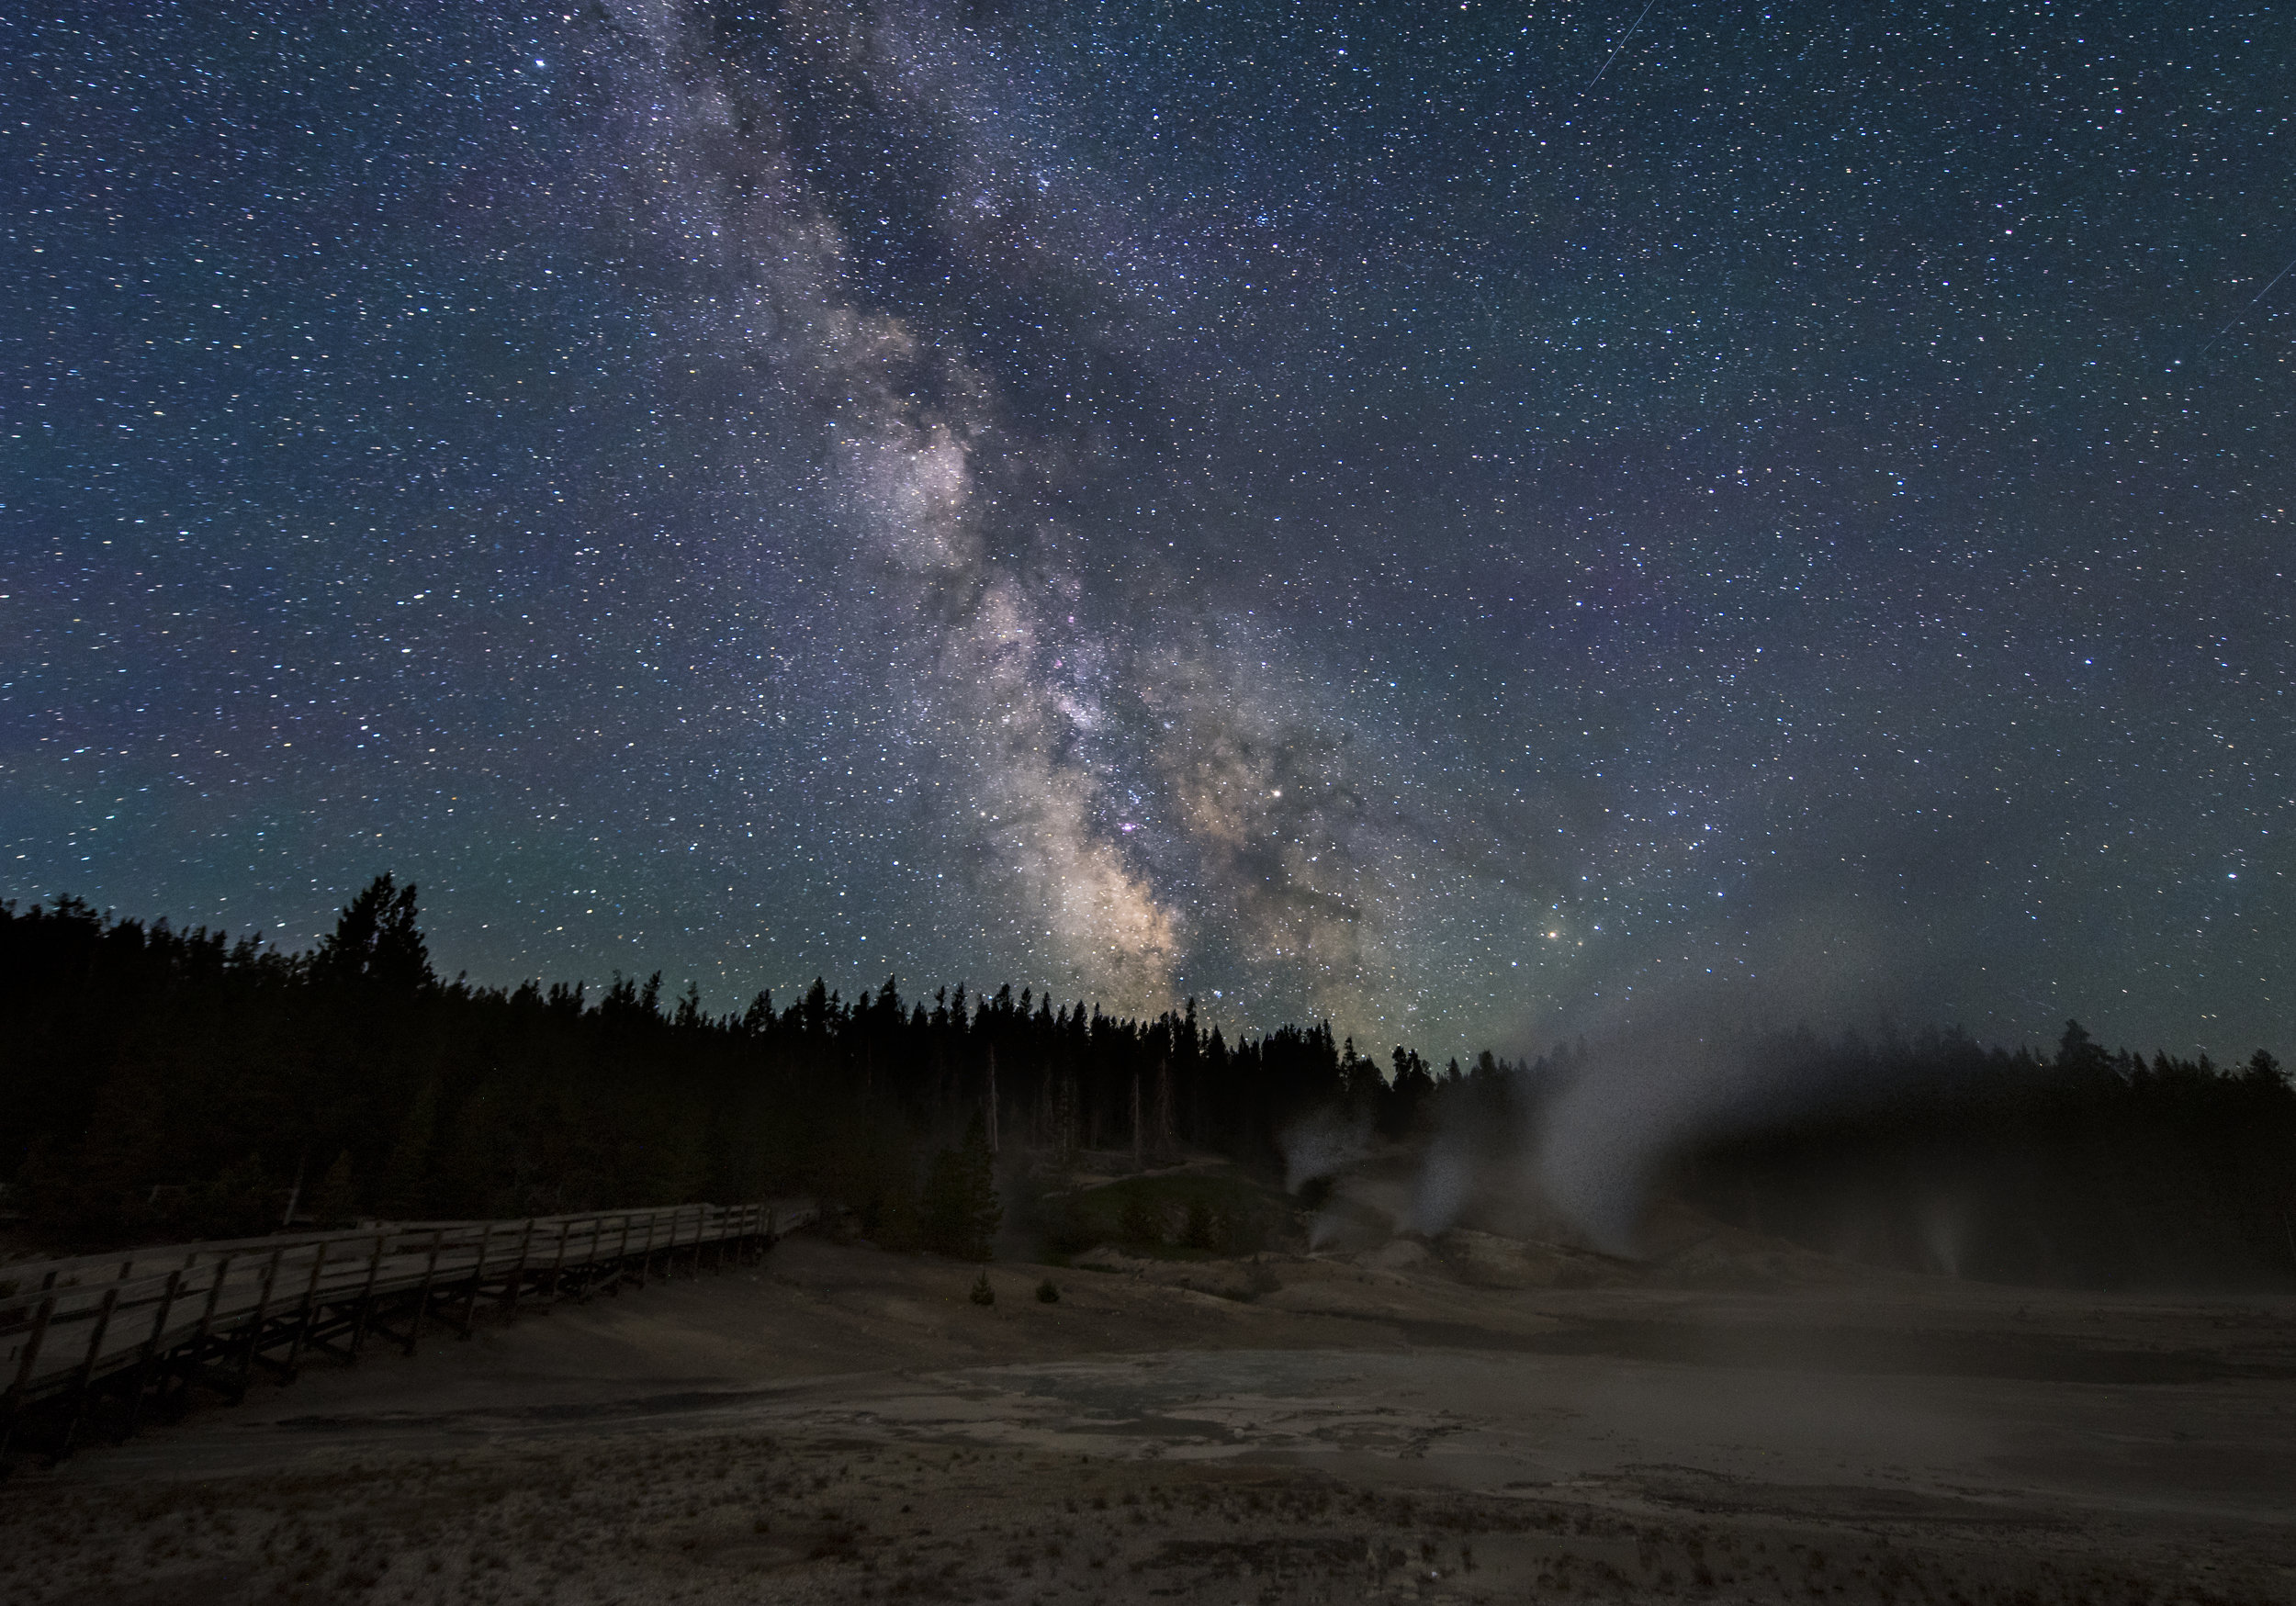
102	1339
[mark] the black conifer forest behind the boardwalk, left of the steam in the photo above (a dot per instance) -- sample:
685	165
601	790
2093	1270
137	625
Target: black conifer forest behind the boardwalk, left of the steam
178	1082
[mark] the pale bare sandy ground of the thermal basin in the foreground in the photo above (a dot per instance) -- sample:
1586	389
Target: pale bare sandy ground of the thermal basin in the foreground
844	1426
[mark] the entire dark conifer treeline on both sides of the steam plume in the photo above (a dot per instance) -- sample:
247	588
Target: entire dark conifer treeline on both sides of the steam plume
180	1084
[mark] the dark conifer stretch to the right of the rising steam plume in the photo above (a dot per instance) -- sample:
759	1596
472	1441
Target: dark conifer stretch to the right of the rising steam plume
2088	1169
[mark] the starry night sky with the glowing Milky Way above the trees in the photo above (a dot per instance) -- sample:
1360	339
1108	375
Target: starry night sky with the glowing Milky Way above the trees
1487	522
